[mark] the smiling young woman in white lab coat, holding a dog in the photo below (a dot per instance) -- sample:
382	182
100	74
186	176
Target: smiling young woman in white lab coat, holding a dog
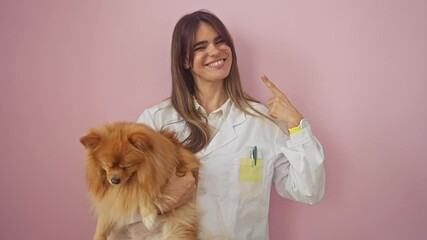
243	146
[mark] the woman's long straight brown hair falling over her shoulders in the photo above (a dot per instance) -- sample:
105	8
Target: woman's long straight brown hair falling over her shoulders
183	85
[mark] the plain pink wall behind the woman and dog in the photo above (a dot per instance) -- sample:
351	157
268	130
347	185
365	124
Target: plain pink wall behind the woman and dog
357	69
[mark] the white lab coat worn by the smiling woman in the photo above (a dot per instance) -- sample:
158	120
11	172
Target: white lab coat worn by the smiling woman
234	194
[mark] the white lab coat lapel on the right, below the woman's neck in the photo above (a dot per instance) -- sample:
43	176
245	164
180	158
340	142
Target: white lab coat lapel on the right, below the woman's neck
226	132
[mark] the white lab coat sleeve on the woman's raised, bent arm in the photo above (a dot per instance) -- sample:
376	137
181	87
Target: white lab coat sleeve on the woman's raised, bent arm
299	171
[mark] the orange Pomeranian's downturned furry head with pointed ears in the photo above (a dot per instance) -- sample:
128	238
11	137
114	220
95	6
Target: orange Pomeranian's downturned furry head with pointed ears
122	151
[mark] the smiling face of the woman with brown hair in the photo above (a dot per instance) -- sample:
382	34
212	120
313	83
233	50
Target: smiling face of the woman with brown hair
212	56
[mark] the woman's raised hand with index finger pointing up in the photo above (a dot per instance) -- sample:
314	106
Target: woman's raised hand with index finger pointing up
279	106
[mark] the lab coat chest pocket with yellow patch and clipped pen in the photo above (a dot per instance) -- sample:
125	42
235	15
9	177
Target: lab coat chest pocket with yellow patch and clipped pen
249	184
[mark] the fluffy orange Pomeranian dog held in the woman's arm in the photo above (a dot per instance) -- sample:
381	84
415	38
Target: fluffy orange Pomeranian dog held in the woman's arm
127	169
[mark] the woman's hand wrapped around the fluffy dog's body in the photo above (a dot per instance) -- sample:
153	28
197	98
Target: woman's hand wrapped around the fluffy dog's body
179	191
